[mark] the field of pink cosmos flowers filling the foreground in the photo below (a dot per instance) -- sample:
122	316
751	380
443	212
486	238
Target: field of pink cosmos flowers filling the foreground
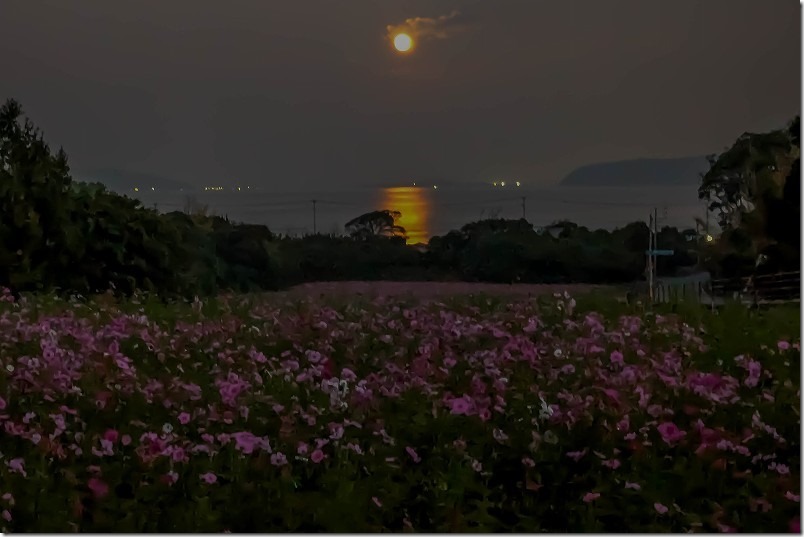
474	413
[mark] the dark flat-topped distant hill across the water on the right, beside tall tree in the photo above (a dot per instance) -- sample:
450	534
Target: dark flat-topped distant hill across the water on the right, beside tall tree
640	172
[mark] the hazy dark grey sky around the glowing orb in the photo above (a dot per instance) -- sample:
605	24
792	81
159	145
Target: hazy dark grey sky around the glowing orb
310	92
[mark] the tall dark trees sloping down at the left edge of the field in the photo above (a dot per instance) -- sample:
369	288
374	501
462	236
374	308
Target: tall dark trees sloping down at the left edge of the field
56	234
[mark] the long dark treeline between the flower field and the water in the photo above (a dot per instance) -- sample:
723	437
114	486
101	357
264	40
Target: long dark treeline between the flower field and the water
60	235
